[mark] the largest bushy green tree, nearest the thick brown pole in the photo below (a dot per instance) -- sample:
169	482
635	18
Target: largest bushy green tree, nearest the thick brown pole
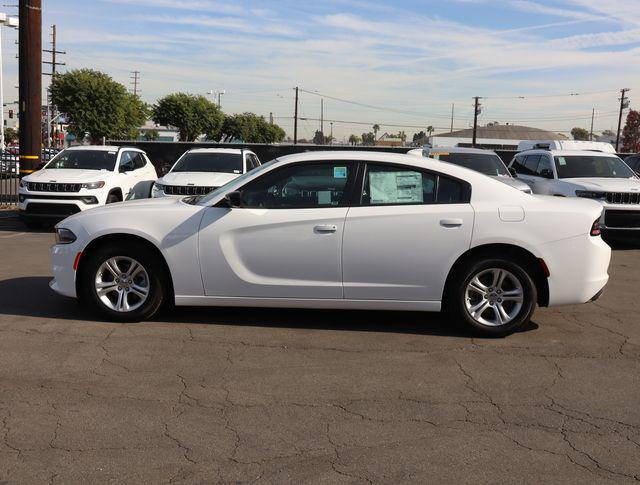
97	106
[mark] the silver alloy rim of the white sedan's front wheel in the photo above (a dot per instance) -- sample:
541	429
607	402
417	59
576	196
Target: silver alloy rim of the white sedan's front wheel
122	284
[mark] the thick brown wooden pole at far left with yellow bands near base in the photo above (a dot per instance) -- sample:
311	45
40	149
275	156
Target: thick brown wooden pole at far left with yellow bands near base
30	85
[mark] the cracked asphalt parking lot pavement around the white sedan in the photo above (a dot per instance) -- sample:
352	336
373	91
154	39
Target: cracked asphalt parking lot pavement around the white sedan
272	396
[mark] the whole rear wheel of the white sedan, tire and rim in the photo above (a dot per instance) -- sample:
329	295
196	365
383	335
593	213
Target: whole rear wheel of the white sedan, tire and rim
493	297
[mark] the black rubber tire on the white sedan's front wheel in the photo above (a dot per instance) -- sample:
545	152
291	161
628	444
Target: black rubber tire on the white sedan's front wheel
155	270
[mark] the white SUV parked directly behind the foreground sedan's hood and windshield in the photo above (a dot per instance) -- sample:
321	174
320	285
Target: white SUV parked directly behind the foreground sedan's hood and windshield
201	170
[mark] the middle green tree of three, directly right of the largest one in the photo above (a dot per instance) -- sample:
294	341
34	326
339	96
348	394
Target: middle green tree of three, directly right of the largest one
191	115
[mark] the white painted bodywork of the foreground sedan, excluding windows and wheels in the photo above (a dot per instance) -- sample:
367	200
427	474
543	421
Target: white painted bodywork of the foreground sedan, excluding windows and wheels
375	257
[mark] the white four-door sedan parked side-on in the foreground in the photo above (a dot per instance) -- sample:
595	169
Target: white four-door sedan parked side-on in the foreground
351	230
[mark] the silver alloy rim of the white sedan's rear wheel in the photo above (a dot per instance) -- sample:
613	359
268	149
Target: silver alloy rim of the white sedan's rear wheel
494	297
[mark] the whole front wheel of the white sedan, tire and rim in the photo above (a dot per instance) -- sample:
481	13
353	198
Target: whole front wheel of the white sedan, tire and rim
124	282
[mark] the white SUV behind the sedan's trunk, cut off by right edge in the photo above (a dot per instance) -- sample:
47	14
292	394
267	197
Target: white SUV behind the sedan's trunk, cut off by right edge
590	174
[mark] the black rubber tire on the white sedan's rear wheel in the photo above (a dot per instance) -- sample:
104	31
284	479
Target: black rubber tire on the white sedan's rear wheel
456	300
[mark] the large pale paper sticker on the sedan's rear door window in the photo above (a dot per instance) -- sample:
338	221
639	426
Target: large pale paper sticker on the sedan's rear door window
395	187
